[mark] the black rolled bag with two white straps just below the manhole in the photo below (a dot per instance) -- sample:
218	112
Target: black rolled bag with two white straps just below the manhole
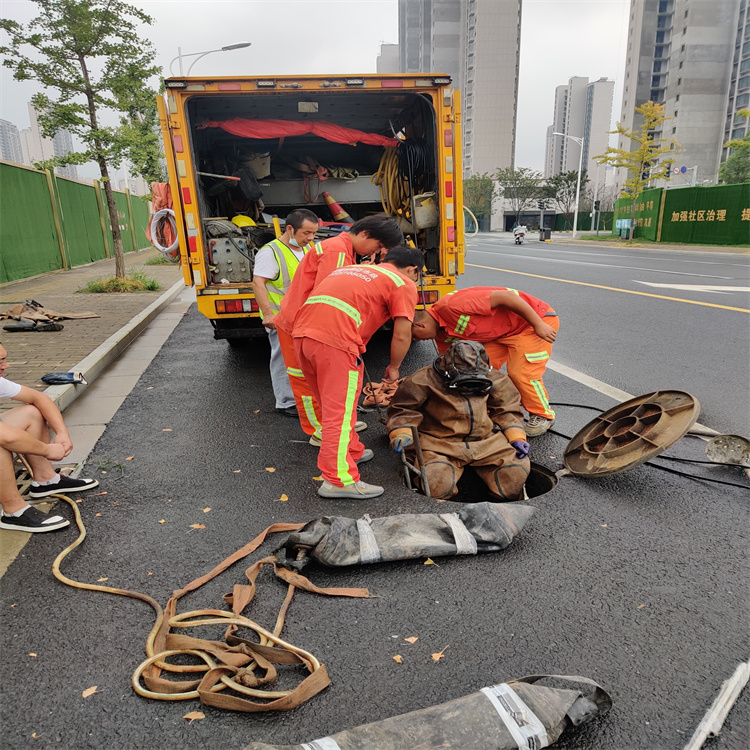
336	541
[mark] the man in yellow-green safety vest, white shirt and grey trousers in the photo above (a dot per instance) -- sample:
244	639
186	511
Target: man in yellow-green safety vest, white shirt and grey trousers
275	266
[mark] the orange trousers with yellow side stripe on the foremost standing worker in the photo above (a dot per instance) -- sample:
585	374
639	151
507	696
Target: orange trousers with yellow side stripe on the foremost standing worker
335	378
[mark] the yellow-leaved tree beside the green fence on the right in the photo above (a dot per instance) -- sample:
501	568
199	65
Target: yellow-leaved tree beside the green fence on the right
645	163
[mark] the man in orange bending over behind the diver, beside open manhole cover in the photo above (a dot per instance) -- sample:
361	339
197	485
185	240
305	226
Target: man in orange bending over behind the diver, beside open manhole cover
514	327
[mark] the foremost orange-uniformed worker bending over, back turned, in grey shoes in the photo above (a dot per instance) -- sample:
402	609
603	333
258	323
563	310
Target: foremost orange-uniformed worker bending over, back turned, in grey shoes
330	334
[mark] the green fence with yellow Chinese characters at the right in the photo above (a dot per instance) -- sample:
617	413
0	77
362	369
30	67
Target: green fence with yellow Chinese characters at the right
712	215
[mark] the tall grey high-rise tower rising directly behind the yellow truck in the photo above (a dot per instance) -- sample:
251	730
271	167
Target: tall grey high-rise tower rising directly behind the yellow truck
477	43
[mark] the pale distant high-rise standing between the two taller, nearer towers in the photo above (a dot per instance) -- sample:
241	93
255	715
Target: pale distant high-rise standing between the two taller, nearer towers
582	110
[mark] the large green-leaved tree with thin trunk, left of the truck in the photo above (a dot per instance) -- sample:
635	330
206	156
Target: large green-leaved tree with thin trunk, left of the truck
91	53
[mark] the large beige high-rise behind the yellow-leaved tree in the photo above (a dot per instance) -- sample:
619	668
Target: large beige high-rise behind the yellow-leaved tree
681	54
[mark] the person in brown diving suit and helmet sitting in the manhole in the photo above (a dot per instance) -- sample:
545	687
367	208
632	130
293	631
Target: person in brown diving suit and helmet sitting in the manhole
466	414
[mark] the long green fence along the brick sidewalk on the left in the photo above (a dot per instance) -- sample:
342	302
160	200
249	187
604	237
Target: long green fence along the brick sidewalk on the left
50	223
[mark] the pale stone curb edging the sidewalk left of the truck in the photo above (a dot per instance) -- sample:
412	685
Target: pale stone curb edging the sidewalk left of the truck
94	364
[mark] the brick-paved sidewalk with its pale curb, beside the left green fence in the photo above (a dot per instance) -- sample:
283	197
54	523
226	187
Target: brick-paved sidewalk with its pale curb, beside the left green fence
32	355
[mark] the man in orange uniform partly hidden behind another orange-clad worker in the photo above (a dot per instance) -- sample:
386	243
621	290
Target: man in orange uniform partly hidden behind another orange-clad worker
370	236
